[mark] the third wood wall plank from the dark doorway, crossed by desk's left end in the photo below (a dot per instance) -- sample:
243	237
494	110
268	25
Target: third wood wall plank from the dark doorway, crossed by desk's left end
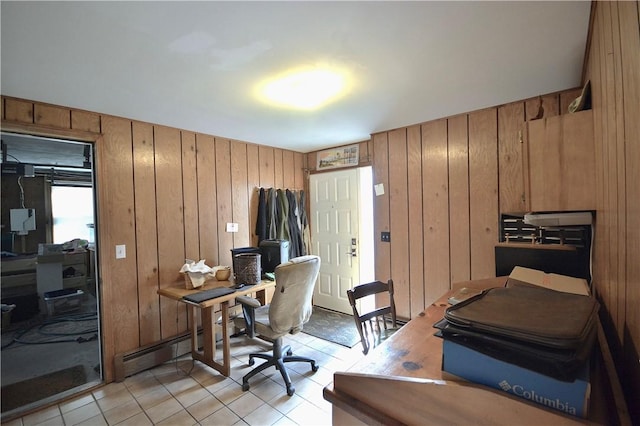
171	227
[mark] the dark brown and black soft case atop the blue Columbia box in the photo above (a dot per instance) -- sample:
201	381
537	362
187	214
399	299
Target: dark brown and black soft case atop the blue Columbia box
545	331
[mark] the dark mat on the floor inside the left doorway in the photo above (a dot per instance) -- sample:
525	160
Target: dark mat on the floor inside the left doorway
22	393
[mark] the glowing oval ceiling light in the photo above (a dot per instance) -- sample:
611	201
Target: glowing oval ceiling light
306	89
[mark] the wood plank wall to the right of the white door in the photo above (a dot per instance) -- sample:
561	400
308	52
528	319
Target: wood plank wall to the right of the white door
445	183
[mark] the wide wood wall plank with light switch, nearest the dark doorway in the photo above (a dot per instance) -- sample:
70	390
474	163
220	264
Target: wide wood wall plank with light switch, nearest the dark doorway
118	277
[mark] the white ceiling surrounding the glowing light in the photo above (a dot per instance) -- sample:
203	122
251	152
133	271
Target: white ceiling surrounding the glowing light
193	65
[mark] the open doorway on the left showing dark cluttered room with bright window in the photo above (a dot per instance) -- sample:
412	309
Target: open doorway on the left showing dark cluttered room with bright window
50	302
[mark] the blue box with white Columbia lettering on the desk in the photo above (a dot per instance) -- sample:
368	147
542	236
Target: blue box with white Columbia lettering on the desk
568	397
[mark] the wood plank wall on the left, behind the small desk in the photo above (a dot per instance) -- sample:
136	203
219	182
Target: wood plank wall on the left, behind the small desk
166	194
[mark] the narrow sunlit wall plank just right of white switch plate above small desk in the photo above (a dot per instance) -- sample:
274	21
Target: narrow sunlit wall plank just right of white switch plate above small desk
240	195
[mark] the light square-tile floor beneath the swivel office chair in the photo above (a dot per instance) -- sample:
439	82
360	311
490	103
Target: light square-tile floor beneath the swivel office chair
185	392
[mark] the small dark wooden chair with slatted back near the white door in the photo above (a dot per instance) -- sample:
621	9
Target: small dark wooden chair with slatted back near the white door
372	326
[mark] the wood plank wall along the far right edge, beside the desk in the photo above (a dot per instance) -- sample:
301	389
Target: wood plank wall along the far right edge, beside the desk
613	67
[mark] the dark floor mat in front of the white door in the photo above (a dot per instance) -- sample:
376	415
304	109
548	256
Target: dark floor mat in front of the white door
332	326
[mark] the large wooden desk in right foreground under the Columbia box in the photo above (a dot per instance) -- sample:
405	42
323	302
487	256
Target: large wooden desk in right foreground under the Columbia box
401	382
